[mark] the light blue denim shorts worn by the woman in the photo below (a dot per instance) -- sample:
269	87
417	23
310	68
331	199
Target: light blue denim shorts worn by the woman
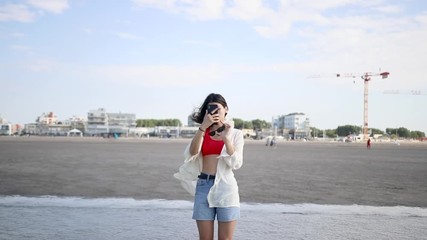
202	211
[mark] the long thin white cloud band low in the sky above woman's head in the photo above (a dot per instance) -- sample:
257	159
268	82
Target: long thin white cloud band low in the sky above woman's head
186	75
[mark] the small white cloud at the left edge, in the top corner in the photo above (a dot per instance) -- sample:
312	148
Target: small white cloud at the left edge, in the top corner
16	12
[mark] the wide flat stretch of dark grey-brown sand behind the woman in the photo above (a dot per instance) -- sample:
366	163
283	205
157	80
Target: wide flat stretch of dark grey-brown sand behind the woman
292	172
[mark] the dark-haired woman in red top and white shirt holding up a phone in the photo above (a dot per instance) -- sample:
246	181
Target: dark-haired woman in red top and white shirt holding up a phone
210	158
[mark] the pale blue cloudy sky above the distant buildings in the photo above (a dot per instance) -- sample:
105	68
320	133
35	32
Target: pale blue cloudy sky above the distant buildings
161	58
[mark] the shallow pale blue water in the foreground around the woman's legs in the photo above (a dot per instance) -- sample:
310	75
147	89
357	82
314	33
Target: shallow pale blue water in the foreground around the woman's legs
51	217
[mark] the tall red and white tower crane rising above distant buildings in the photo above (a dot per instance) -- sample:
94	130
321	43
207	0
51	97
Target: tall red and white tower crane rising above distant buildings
366	78
